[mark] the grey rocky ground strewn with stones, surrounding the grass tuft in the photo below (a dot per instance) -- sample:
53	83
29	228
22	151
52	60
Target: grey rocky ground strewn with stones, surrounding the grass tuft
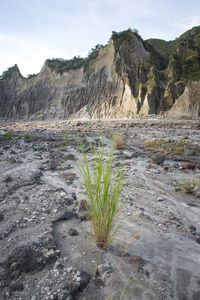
46	252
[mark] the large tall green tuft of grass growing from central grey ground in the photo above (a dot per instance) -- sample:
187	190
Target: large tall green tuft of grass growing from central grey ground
104	189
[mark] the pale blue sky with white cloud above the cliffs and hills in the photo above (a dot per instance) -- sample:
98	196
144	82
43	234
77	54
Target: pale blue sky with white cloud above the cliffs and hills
32	31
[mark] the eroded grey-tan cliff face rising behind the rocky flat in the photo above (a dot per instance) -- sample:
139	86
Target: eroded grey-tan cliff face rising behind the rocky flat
125	77
